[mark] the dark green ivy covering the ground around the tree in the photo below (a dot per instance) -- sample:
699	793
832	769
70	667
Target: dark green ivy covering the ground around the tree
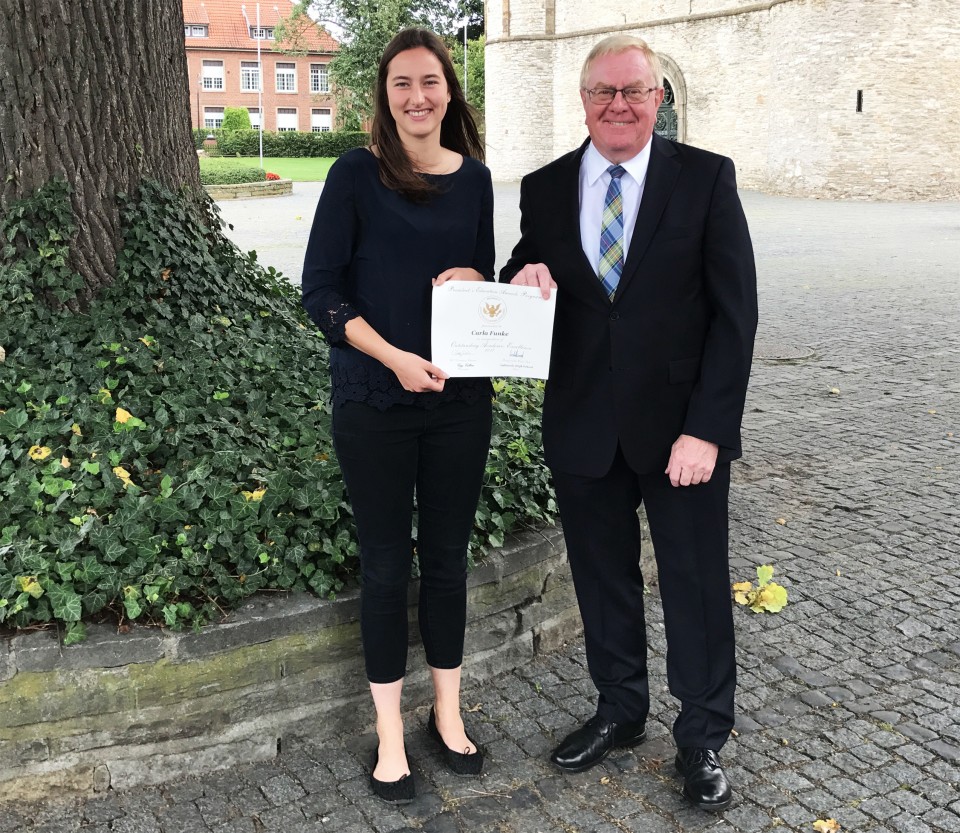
166	452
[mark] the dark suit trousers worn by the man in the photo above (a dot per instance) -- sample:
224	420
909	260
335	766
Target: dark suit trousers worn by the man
689	530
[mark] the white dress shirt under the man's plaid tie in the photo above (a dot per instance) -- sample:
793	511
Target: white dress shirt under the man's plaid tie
594	181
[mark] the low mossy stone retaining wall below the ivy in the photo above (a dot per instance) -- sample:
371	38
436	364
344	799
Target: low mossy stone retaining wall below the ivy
149	705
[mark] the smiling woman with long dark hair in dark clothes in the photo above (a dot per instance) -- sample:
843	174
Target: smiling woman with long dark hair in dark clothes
410	212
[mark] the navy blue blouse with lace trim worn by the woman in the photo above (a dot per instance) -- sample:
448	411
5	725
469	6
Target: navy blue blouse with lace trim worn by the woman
373	253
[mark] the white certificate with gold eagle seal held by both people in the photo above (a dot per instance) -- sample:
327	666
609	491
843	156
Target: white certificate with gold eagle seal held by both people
492	329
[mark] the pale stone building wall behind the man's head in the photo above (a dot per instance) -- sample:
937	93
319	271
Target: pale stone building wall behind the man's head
772	84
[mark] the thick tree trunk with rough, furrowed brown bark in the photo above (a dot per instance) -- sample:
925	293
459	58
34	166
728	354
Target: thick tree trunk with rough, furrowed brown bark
94	92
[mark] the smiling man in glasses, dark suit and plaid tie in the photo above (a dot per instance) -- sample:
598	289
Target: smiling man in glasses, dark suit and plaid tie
656	314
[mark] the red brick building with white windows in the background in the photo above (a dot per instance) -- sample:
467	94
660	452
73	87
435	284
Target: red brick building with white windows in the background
221	39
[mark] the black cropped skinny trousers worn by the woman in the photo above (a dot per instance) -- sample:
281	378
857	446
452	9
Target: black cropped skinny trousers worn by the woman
385	457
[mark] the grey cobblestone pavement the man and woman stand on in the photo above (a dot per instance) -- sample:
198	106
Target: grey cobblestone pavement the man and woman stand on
849	698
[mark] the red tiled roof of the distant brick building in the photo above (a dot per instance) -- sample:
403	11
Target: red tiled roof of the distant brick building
227	27
